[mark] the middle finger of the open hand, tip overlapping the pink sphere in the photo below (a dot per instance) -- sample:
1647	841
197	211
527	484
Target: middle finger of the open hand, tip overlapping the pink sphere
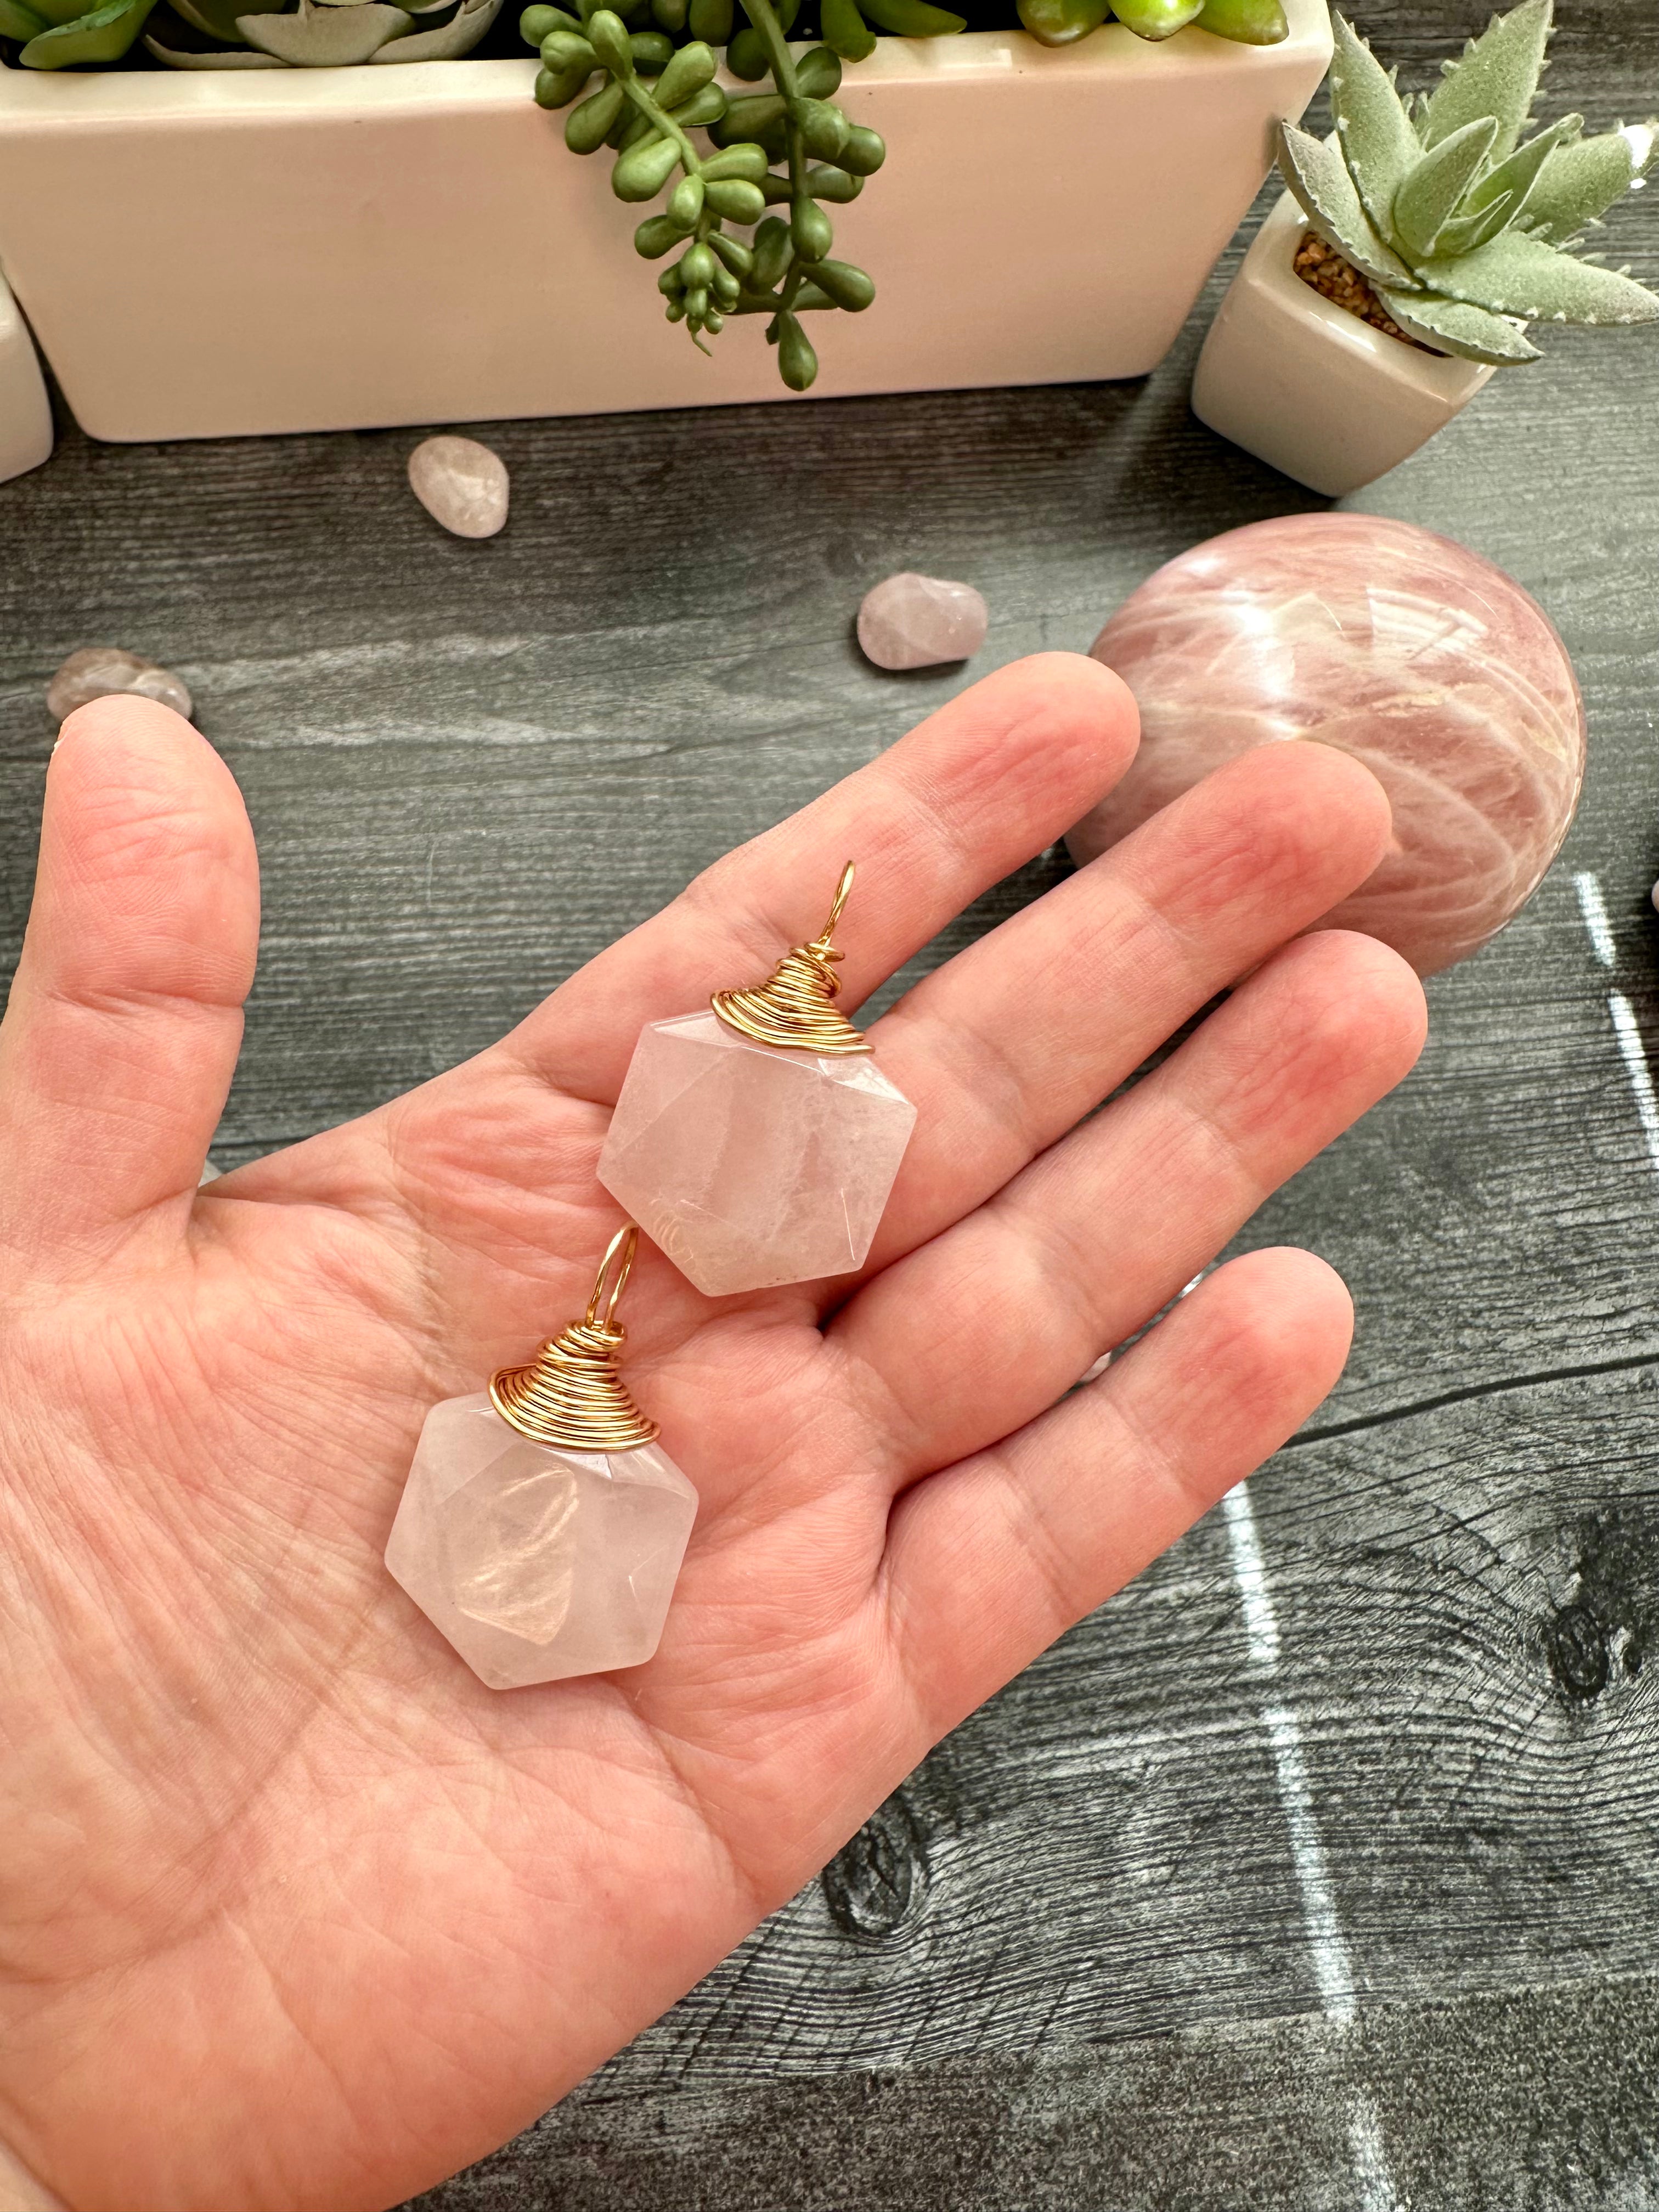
1016	1039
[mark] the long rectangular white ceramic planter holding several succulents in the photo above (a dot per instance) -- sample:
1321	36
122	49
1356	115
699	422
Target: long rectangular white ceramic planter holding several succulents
326	249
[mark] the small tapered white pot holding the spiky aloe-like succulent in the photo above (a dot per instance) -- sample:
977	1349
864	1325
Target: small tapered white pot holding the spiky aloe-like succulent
1308	388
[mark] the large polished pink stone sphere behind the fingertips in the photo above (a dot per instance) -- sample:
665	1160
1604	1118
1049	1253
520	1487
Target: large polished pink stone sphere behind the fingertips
1426	662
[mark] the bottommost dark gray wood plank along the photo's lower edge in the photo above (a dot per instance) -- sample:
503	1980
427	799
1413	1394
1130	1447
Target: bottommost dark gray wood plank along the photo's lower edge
1538	2100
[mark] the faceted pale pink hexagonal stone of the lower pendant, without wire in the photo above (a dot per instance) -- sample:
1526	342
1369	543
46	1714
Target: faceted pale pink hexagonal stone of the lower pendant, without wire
539	1563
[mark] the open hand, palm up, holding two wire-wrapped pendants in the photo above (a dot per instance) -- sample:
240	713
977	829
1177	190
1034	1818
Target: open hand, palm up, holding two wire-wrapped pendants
295	1912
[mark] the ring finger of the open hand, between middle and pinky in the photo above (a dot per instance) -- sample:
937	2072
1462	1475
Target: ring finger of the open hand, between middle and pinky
983	1328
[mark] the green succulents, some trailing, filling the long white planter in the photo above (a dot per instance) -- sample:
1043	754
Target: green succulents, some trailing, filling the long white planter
716	163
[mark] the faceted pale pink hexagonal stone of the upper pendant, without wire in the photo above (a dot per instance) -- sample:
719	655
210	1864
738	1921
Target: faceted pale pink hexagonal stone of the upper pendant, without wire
749	1165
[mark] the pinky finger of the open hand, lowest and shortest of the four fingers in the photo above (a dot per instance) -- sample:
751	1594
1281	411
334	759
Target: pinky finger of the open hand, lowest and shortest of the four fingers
990	1561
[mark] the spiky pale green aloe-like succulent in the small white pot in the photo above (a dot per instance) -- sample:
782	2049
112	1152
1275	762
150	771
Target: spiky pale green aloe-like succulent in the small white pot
1461	225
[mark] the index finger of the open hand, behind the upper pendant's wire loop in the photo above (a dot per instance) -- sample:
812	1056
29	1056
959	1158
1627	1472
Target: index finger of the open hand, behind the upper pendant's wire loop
985	784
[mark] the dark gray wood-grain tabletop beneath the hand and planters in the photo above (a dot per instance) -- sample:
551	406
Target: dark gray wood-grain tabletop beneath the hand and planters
1355	1912
